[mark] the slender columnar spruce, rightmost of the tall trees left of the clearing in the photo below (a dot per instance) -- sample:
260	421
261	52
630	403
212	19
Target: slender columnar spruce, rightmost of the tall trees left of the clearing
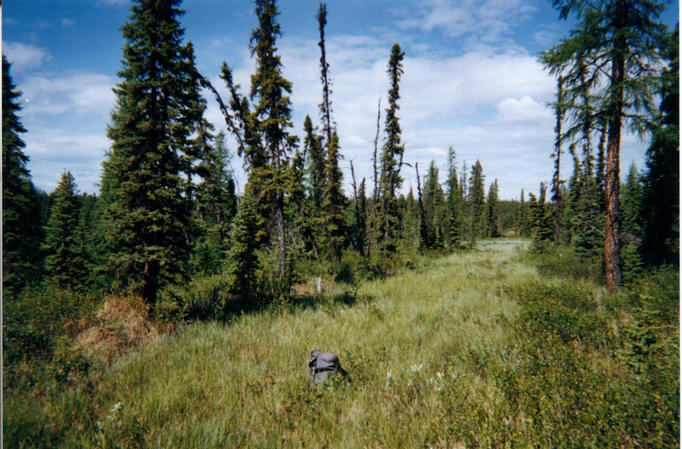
391	158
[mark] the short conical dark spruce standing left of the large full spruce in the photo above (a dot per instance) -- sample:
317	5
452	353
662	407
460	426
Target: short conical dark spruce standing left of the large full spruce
64	246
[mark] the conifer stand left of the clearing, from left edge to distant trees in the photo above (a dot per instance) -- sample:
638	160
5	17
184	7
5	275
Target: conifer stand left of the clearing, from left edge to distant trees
167	212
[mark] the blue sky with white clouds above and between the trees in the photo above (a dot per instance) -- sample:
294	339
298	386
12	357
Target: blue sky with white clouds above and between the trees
472	80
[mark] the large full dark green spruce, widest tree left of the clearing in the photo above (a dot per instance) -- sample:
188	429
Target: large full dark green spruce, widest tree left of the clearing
157	111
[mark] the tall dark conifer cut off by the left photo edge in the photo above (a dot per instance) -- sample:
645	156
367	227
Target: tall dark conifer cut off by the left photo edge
21	221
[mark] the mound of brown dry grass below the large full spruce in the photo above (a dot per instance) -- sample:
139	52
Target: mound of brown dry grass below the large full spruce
121	324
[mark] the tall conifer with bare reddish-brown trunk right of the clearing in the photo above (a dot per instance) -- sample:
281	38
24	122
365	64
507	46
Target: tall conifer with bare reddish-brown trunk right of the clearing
613	53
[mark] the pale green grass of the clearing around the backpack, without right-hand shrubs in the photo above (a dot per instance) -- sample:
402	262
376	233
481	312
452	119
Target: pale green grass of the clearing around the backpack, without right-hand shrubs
427	351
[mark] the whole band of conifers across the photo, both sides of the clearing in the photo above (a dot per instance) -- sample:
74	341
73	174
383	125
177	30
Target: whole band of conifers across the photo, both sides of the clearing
168	215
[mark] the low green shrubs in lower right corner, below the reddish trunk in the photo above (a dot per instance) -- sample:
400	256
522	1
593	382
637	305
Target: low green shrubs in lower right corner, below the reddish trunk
592	376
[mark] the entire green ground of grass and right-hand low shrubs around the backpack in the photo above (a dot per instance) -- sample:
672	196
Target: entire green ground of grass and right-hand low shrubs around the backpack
473	349
